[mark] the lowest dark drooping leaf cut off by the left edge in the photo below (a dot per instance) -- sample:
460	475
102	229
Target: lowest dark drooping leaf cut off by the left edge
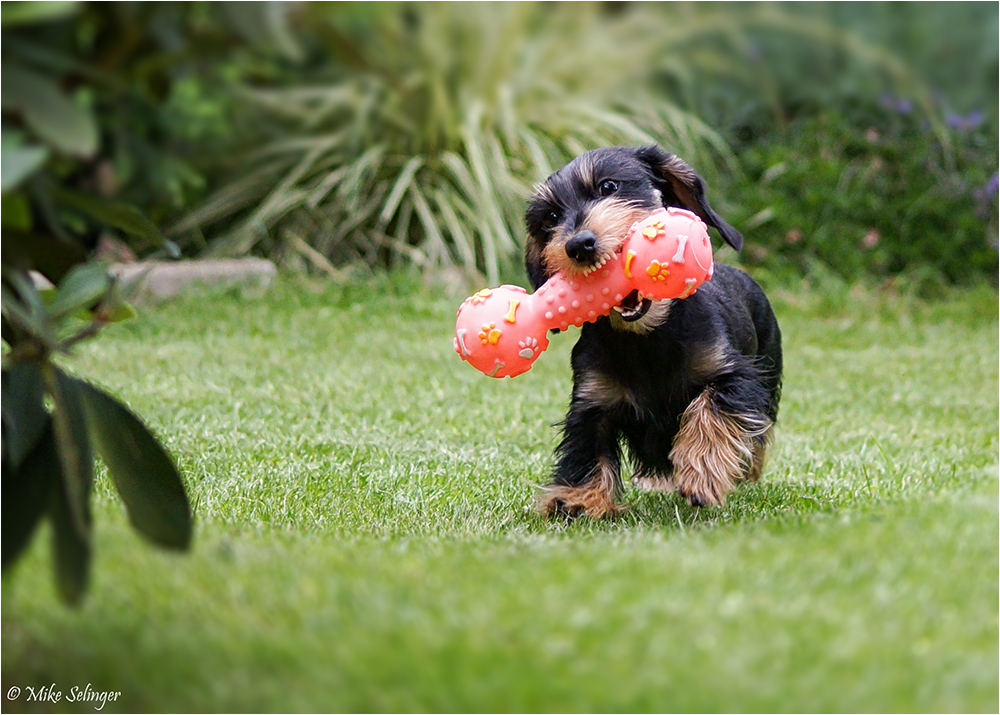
25	495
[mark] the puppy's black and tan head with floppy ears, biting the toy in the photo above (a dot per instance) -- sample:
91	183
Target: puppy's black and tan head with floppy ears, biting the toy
580	215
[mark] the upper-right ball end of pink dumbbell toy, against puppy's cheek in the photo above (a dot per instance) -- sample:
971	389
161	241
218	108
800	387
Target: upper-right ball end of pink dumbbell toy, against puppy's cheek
669	254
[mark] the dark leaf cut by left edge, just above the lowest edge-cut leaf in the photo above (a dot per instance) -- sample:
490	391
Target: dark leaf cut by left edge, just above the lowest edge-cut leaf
24	416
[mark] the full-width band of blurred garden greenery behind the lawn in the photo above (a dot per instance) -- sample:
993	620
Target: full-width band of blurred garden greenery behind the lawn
857	139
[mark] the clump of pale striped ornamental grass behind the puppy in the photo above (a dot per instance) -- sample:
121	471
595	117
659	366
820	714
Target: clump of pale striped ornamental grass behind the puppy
422	141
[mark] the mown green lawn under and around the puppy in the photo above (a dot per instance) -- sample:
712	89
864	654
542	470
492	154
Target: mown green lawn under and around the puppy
365	539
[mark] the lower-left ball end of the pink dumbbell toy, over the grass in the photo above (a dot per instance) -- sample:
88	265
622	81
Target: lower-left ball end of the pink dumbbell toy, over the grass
496	333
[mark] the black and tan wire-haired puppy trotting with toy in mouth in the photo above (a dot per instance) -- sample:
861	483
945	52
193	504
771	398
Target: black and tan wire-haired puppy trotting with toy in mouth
690	386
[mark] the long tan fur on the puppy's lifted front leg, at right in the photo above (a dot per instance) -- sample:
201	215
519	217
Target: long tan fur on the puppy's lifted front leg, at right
712	451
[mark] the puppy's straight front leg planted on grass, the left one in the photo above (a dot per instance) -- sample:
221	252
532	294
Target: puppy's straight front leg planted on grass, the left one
586	478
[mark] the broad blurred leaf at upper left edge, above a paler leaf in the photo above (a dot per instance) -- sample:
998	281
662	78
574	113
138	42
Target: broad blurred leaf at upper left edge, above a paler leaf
55	118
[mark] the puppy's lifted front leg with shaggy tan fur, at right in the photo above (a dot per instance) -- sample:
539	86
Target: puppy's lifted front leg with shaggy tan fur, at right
722	438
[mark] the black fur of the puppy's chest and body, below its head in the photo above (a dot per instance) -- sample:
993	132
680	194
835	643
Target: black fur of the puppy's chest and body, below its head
654	370
